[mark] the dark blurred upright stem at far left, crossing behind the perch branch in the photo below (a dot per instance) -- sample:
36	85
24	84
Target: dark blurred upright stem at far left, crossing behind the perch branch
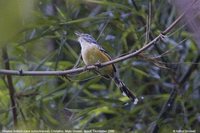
10	85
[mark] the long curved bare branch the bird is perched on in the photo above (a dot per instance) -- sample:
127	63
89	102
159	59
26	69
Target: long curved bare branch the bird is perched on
81	69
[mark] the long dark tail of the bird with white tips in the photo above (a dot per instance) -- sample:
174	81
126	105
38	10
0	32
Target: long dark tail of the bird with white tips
125	90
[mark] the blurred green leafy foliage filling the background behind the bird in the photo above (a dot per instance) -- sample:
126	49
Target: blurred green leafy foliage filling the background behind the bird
39	35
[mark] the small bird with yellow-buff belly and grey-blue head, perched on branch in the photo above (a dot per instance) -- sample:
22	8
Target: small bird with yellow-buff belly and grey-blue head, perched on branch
92	53
